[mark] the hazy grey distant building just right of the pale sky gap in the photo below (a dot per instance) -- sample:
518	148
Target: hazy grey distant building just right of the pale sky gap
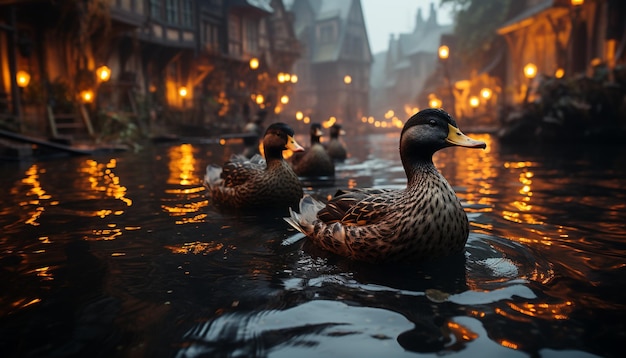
399	74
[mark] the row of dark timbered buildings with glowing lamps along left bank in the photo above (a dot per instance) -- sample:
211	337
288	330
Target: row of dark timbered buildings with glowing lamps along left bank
156	64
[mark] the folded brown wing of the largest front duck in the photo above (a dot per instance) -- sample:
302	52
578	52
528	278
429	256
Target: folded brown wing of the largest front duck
357	206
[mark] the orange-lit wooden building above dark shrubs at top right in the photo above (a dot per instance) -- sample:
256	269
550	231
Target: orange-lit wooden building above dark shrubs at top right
562	38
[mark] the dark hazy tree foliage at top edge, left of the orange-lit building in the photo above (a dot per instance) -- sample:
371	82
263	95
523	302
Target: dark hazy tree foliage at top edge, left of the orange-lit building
476	23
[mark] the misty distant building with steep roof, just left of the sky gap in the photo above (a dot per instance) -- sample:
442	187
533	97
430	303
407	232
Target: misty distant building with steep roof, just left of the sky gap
334	70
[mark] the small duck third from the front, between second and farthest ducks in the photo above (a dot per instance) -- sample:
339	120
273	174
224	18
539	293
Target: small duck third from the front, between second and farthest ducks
315	161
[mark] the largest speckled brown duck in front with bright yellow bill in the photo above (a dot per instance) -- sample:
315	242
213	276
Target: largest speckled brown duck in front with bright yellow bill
422	221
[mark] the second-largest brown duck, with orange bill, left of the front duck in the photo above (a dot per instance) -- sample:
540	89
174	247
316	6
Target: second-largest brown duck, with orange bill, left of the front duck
261	182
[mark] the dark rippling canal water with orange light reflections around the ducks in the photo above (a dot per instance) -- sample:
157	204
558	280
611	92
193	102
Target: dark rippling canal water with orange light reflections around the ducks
123	255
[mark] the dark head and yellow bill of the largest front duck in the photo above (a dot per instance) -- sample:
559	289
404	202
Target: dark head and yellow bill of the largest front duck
428	131
